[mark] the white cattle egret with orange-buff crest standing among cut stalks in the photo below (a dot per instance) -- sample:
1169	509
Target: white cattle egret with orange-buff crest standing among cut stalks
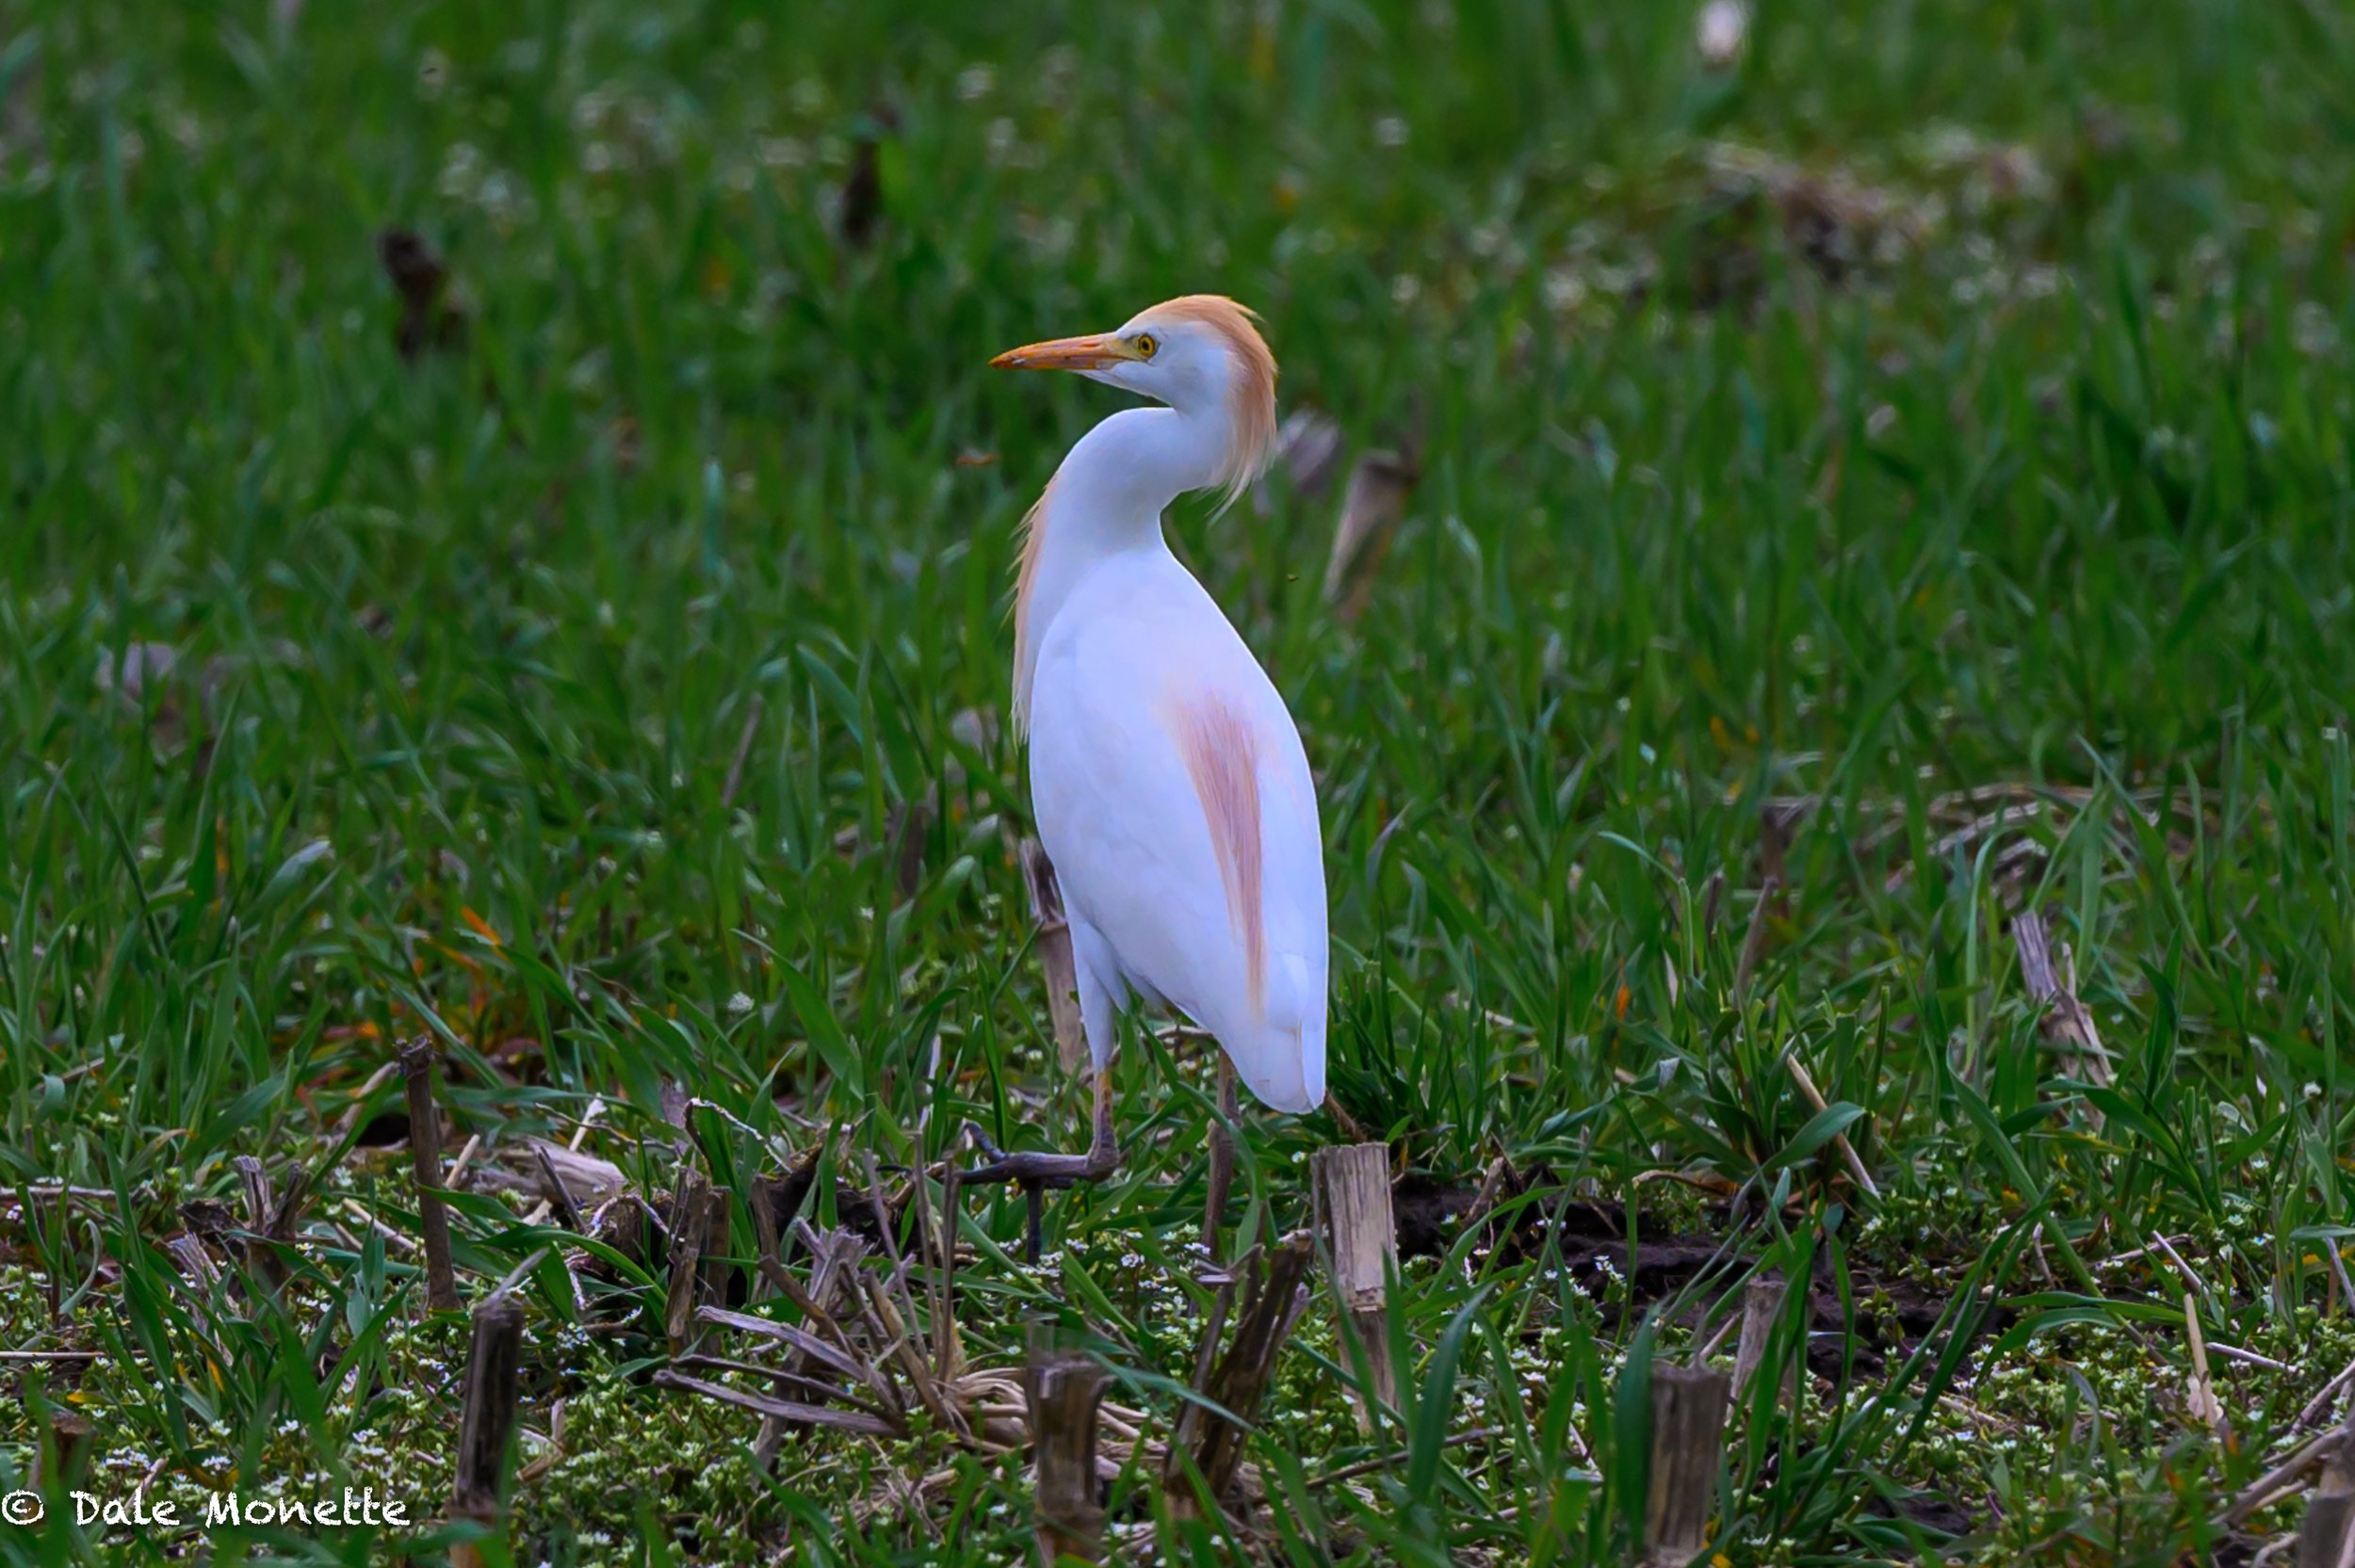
1167	773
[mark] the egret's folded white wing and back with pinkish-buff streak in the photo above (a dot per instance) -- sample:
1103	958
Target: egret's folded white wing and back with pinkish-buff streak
1181	816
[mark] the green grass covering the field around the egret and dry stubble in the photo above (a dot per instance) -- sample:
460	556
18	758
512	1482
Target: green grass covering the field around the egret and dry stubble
2034	479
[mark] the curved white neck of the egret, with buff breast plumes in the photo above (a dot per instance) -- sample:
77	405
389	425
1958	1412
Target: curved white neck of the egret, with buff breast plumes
1108	500
